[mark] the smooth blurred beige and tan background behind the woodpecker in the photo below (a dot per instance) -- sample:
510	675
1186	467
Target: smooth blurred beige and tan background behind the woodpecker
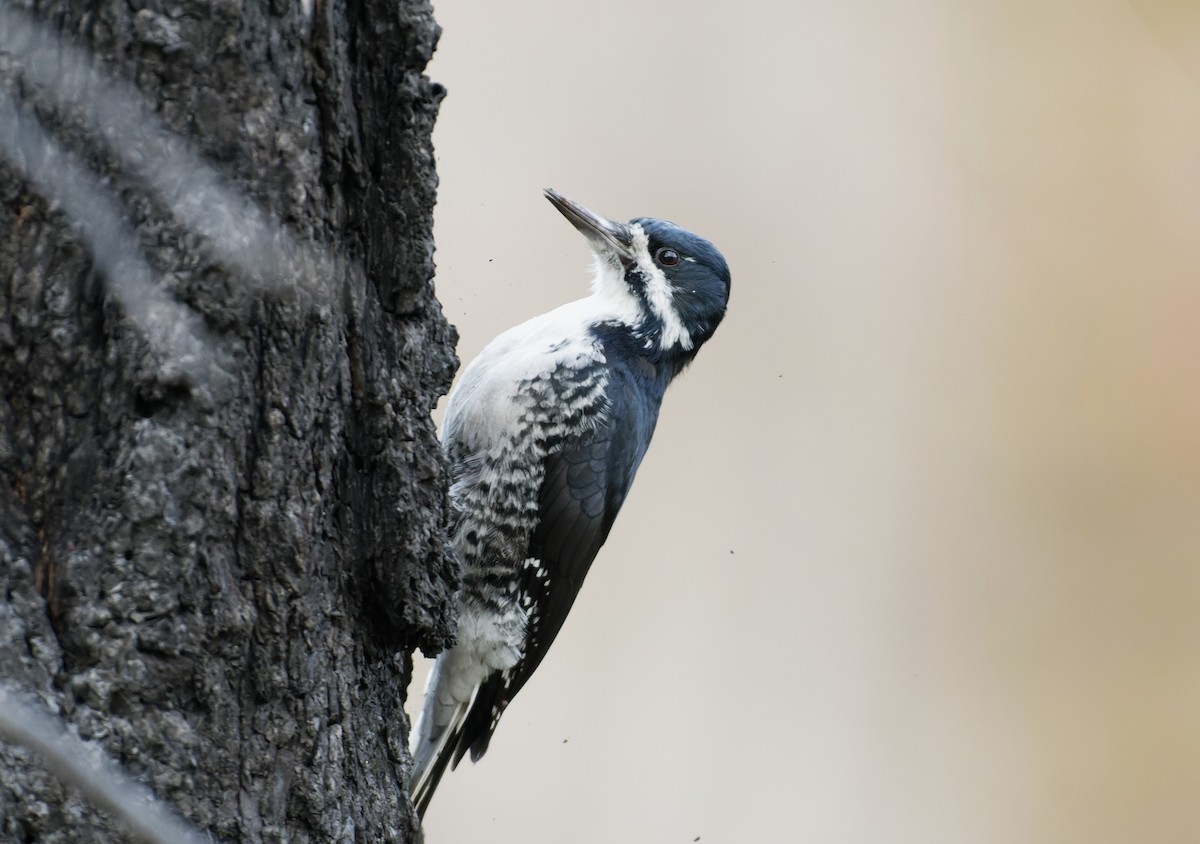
916	553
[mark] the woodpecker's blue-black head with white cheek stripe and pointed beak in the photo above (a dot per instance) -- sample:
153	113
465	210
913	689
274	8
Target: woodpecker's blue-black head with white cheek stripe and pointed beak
673	285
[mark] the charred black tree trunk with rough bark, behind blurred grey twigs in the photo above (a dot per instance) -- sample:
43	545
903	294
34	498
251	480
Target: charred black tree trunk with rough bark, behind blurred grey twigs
218	568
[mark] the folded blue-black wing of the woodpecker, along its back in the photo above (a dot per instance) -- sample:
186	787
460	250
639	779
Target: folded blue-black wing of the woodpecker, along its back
585	486
